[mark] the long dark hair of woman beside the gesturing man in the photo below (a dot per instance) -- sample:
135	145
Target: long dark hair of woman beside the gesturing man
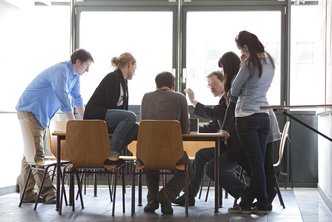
230	63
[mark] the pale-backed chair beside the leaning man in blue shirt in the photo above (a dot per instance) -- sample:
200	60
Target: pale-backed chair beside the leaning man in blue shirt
30	154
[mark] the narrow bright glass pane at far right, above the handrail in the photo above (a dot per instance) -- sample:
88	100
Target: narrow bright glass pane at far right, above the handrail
307	63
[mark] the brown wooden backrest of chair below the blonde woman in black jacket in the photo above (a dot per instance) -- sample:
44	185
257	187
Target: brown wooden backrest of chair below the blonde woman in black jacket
87	143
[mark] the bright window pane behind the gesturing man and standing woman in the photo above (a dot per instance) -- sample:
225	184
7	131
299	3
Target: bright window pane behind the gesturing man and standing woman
207	43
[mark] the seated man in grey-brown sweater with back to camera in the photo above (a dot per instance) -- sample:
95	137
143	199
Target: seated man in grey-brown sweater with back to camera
165	104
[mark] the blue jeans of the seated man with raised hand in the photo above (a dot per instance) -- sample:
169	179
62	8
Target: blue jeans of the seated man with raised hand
227	179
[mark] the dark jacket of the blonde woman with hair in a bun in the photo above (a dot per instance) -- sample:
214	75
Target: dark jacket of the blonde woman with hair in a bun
107	95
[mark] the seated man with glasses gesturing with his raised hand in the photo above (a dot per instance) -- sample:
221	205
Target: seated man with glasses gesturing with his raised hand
205	156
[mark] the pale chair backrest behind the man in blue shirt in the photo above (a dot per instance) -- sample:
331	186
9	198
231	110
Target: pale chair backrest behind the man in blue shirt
29	147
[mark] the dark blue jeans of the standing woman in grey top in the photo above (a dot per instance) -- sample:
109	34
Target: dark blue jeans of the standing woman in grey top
253	132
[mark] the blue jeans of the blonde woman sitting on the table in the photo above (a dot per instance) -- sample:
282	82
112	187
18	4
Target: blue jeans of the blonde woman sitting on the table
122	125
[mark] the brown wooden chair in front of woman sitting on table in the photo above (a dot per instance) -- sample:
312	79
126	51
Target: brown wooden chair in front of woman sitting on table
87	147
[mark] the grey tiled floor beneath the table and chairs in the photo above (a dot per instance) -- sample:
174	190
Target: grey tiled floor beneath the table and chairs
302	204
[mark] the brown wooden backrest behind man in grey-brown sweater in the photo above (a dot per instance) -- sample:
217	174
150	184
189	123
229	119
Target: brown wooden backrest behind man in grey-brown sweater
159	144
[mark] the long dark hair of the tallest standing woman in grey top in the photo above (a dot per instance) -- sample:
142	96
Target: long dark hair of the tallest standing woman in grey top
255	47
